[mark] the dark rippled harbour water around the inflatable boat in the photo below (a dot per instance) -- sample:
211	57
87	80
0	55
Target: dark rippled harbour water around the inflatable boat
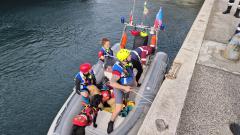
42	43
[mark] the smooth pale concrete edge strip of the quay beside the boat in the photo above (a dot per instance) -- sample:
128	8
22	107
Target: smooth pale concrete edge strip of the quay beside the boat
164	114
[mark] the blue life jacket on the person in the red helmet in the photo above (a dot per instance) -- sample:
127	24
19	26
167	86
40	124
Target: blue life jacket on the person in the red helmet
85	80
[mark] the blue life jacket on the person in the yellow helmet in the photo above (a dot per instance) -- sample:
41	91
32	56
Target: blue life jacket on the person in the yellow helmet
126	76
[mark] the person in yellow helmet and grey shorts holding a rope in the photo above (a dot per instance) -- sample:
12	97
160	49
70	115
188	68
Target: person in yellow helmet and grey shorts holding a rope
122	80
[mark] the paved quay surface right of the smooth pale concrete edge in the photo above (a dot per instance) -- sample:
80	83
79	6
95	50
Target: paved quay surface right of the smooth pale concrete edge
213	98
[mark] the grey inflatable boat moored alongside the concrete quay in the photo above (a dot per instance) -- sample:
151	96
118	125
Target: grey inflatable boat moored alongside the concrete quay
151	80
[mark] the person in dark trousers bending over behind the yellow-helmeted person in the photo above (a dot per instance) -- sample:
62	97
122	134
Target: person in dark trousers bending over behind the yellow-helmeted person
139	57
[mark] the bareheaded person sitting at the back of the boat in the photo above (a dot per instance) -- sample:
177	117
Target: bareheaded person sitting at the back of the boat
105	50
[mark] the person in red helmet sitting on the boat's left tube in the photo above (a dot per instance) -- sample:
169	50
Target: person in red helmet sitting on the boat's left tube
85	82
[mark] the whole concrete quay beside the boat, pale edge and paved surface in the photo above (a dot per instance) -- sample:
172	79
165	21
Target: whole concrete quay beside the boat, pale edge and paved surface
201	93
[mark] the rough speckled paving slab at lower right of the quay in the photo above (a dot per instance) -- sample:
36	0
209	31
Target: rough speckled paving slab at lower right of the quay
212	102
